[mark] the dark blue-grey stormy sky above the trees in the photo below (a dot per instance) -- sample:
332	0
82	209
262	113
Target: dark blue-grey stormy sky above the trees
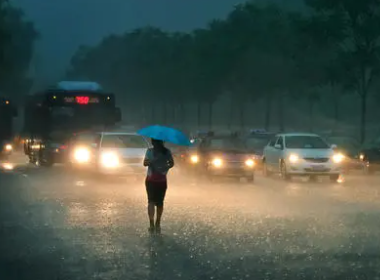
66	24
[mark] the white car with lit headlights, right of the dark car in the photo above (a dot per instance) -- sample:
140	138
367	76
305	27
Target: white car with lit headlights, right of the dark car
301	154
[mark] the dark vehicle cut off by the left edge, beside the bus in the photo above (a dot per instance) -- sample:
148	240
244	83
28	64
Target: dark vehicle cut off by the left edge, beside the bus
7	113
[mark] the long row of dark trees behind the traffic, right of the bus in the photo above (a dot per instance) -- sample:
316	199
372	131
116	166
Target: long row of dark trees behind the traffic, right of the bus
256	52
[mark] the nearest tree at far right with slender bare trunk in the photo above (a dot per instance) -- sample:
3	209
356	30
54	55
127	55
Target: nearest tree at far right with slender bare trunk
352	28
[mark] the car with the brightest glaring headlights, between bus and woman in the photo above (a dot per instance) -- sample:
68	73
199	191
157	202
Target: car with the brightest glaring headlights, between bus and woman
109	153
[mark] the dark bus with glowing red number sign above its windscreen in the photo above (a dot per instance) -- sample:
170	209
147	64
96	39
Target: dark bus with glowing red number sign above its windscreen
54	116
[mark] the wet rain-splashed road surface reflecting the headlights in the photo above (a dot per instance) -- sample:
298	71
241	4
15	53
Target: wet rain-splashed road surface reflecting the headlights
59	225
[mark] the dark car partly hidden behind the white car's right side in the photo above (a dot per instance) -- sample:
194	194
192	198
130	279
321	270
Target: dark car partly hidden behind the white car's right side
350	148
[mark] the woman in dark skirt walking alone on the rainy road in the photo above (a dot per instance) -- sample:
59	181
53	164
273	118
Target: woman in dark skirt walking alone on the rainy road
158	160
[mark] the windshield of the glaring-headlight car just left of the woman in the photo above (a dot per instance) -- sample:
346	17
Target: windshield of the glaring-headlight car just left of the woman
123	141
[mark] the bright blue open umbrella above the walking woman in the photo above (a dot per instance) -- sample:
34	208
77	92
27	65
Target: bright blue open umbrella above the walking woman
166	134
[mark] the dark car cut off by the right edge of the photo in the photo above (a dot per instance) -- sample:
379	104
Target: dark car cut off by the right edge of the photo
370	156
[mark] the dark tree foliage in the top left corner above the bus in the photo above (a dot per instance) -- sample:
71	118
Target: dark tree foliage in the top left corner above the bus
17	38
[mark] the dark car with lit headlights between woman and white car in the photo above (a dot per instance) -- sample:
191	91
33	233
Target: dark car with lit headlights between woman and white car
222	156
